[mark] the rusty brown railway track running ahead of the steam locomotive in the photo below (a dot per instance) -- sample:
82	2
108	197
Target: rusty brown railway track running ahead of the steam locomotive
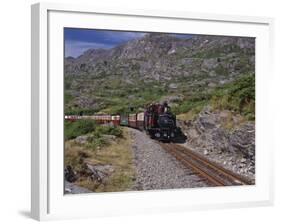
213	173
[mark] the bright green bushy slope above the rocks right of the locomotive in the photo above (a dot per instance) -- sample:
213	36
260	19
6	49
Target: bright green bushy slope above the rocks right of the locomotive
237	96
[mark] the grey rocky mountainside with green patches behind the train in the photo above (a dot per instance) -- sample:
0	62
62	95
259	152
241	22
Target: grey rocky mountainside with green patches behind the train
152	68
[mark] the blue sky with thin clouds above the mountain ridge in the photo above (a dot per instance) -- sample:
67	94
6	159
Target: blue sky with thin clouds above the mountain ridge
78	40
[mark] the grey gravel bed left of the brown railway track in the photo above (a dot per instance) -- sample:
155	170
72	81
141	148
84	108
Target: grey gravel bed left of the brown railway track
157	169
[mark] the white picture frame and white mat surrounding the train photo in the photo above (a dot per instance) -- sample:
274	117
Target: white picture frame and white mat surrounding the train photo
48	201
